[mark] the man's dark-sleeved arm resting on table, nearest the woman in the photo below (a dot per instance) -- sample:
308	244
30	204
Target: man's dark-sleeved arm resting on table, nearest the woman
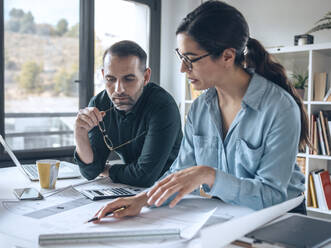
164	127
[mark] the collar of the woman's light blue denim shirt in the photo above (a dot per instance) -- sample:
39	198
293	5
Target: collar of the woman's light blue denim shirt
253	96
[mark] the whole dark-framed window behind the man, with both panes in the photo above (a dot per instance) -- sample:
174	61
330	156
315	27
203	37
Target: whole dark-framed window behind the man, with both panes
51	56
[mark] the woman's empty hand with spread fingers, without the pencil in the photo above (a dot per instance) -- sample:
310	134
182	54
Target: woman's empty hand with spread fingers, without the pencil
182	182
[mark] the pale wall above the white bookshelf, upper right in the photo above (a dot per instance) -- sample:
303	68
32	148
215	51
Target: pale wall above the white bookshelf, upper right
275	23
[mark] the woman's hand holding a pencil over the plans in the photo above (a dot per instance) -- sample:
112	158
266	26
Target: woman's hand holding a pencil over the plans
133	206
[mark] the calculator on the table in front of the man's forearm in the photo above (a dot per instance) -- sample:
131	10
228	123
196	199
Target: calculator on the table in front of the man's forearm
110	193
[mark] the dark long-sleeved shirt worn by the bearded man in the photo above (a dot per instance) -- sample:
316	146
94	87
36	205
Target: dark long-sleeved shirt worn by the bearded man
150	155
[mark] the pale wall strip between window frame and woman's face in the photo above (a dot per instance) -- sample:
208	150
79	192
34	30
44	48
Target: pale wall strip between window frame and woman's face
173	11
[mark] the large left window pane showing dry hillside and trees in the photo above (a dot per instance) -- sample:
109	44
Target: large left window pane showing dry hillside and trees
41	65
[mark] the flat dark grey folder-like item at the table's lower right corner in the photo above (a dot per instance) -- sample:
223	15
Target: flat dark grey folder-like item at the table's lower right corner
295	231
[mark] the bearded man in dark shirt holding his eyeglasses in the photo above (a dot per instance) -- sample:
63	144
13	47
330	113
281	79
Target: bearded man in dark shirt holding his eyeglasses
139	120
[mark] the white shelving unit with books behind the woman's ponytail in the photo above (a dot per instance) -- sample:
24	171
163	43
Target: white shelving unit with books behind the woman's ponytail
312	58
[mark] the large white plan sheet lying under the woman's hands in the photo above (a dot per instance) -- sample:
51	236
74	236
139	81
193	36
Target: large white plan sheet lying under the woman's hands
189	216
